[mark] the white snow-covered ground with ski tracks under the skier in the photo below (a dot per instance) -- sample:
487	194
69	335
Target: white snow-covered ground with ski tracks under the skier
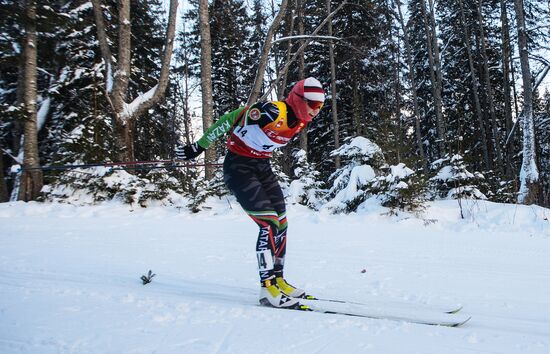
70	280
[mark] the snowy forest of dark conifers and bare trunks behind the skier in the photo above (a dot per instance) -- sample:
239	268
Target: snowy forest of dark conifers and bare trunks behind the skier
435	97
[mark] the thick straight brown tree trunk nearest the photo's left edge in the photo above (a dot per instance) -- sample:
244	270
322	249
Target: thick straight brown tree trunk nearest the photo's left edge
31	181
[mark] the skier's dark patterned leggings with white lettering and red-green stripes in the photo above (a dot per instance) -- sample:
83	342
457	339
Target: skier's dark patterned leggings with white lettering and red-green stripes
256	188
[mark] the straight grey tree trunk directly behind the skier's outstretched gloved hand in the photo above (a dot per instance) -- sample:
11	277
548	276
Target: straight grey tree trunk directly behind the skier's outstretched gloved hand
206	81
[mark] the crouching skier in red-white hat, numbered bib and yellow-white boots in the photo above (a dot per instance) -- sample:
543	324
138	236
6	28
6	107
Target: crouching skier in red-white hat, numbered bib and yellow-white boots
257	131
